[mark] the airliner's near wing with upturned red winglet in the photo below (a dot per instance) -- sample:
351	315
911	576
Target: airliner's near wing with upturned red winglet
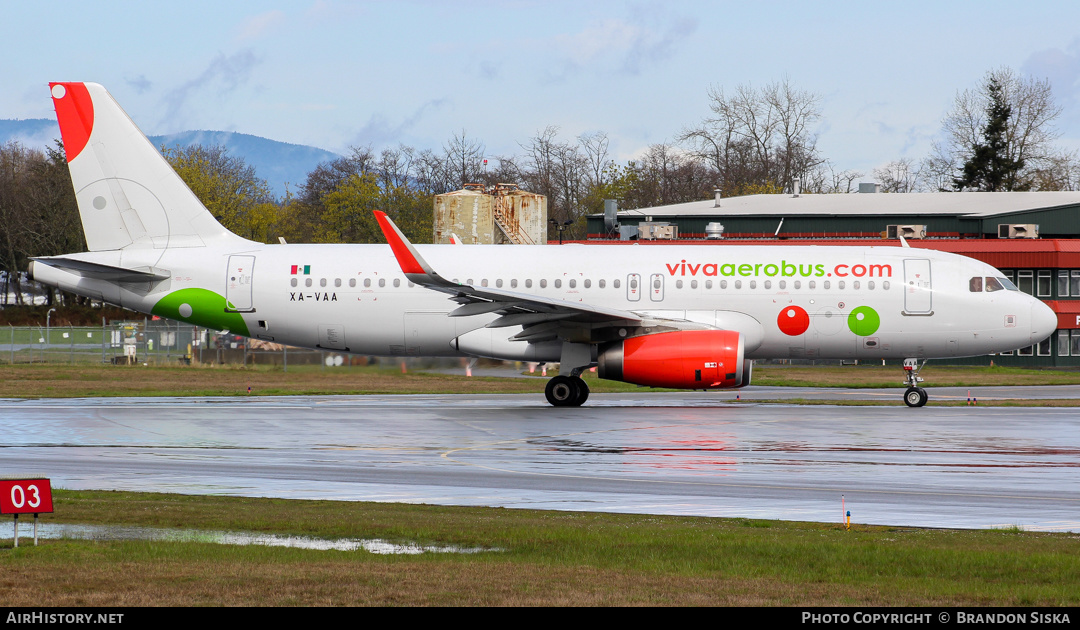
541	316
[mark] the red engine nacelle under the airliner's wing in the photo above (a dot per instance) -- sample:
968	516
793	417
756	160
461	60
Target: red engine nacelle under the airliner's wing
682	359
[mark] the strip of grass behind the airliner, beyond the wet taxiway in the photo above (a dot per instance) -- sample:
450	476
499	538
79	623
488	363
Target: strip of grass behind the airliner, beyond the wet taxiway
43	381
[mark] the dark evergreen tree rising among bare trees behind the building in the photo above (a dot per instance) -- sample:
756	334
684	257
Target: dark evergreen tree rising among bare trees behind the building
990	168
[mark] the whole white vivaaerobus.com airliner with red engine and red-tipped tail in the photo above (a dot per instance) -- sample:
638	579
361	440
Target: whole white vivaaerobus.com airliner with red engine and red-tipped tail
691	317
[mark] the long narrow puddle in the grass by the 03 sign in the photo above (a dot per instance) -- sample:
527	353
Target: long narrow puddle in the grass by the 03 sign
131	533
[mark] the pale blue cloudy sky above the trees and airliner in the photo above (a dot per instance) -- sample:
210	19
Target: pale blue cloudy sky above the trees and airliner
335	74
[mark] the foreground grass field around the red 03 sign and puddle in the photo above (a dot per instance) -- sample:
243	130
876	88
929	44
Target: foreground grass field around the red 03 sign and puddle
544	559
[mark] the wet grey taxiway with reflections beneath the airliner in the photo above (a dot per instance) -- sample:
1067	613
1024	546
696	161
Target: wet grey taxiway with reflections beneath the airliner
649	453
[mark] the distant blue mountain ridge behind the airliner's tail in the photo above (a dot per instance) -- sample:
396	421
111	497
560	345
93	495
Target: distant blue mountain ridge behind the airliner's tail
276	163
